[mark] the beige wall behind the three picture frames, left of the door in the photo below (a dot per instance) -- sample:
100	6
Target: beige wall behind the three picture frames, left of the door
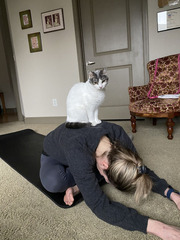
49	74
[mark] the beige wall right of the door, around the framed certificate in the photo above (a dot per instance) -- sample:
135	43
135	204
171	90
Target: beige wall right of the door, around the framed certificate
162	43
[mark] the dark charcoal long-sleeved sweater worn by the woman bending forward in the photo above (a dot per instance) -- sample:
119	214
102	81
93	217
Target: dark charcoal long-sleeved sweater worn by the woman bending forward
75	148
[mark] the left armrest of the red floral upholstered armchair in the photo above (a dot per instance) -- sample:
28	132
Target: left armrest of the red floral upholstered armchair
137	93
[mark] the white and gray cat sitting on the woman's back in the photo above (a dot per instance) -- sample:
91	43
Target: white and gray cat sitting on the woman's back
84	100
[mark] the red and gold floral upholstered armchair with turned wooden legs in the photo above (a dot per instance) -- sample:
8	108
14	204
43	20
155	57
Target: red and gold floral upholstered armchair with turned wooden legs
160	97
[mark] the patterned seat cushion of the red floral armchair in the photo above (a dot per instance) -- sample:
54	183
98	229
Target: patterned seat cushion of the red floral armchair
155	106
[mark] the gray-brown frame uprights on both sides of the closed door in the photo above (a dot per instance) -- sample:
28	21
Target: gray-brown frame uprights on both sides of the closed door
79	39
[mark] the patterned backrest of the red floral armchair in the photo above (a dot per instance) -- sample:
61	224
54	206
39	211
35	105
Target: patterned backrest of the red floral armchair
167	76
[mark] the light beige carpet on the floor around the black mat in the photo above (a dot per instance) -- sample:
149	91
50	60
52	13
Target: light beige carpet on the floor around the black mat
27	214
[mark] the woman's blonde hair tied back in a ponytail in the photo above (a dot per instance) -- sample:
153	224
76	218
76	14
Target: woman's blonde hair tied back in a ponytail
127	172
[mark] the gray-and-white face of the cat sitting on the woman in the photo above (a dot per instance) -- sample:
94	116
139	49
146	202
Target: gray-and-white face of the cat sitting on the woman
98	79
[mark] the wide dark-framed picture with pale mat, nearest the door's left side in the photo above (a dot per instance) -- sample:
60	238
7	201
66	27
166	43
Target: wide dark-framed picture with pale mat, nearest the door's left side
53	20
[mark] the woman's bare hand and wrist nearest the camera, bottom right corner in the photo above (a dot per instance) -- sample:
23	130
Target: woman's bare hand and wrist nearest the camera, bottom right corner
164	231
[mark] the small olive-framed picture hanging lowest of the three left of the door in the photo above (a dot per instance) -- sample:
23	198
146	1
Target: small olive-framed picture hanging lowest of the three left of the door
35	44
